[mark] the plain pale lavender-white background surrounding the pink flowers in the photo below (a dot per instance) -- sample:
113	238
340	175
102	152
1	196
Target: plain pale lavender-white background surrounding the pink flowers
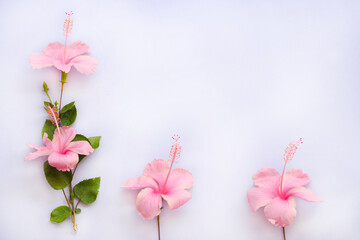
238	80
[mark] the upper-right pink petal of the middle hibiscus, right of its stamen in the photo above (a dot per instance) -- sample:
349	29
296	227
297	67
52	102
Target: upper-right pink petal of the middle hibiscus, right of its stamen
180	179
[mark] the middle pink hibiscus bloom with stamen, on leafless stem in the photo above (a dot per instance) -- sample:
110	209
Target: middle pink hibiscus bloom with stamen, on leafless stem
159	182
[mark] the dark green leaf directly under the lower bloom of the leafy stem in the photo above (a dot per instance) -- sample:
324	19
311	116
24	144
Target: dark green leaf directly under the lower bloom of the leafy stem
57	179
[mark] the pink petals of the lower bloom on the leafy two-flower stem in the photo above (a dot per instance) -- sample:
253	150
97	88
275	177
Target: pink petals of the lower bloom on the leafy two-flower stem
63	153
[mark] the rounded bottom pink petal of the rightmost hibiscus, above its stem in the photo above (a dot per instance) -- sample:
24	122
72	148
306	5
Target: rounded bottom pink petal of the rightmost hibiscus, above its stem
281	212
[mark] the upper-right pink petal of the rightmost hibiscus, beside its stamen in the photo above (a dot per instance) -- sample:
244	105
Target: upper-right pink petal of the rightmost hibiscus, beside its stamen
295	178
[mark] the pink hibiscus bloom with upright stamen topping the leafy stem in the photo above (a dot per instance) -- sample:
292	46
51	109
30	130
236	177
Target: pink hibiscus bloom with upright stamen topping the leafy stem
63	57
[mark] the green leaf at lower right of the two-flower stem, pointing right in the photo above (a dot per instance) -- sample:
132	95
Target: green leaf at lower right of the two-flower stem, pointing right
87	190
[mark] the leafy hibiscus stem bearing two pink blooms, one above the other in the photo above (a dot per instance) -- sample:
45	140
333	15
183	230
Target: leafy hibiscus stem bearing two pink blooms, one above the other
63	148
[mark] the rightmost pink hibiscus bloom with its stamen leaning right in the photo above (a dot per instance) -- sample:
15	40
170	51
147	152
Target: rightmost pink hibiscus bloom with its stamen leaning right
275	192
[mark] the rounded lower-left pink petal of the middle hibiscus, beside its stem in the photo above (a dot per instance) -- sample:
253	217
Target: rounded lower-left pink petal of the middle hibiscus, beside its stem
148	203
